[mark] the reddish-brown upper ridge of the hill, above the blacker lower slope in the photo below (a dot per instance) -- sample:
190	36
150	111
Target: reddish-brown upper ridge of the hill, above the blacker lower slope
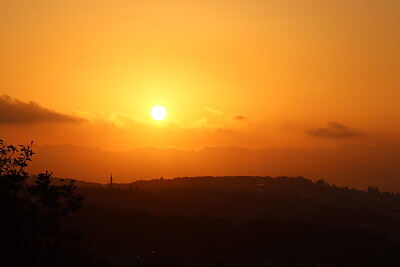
244	198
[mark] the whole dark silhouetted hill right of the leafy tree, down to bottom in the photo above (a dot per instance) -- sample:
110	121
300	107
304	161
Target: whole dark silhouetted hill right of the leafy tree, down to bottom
237	220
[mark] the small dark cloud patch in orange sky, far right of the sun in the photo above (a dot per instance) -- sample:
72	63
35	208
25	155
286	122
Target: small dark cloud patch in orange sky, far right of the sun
334	130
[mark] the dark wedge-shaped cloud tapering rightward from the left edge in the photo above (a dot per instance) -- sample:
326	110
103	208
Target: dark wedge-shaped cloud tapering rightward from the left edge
13	111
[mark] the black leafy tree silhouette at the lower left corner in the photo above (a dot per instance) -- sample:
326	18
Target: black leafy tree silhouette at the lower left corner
33	226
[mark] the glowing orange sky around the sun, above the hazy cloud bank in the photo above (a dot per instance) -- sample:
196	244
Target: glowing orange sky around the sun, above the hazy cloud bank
254	73
